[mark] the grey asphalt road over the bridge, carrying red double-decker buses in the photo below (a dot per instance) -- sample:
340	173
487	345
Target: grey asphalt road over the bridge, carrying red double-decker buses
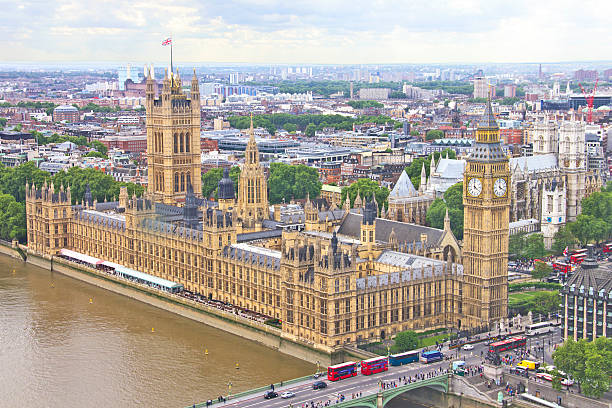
367	385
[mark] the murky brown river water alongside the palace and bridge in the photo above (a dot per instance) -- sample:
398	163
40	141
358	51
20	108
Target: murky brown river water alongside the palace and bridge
65	343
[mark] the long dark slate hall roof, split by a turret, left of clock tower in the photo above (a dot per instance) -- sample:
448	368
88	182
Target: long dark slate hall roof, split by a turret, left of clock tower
405	232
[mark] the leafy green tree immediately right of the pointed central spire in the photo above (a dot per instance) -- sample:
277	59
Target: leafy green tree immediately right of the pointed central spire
287	182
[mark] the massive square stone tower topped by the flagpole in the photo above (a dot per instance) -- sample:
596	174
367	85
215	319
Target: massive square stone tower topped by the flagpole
173	140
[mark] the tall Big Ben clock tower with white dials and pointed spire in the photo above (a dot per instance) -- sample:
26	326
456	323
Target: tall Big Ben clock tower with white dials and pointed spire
486	226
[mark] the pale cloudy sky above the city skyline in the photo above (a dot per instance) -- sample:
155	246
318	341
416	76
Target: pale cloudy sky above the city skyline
307	31
